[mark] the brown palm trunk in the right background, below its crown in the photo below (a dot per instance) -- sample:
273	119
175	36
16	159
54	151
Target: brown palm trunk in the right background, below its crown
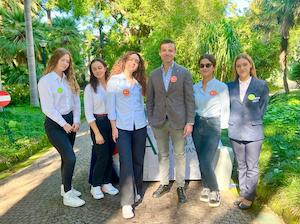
283	62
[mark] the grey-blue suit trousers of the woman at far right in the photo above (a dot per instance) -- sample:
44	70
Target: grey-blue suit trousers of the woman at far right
247	155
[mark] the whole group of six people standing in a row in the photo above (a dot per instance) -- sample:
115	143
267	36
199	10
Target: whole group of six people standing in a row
114	110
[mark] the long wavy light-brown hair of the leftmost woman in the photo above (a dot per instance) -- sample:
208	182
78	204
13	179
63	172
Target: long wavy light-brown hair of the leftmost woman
69	72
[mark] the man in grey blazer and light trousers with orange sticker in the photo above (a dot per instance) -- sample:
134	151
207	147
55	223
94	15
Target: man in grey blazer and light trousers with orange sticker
171	111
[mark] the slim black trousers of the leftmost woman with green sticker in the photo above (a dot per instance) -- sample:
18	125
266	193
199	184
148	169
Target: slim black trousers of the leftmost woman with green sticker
63	143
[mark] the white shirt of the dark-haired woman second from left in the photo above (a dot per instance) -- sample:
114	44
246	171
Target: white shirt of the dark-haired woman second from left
94	103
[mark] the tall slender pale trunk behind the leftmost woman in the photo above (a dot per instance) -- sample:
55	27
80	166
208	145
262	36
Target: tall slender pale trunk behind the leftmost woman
34	101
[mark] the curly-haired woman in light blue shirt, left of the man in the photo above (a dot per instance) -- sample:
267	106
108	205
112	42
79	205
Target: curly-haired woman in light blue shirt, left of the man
127	116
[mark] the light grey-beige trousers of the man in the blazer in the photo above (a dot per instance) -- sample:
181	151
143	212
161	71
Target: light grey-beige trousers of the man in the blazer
162	136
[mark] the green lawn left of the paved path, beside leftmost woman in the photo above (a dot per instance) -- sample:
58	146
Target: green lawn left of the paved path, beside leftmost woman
21	134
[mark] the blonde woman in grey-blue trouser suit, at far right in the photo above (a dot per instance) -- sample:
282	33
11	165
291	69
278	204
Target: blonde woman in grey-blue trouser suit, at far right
248	103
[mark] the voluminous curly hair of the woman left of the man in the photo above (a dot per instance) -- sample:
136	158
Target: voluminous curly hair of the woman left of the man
139	74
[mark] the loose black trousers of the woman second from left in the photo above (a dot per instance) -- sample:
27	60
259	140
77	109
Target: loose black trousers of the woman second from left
102	169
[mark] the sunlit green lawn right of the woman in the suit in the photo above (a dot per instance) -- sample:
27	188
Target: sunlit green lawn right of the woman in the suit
280	157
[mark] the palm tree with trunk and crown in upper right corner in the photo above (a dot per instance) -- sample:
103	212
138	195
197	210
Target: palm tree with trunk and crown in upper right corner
287	14
